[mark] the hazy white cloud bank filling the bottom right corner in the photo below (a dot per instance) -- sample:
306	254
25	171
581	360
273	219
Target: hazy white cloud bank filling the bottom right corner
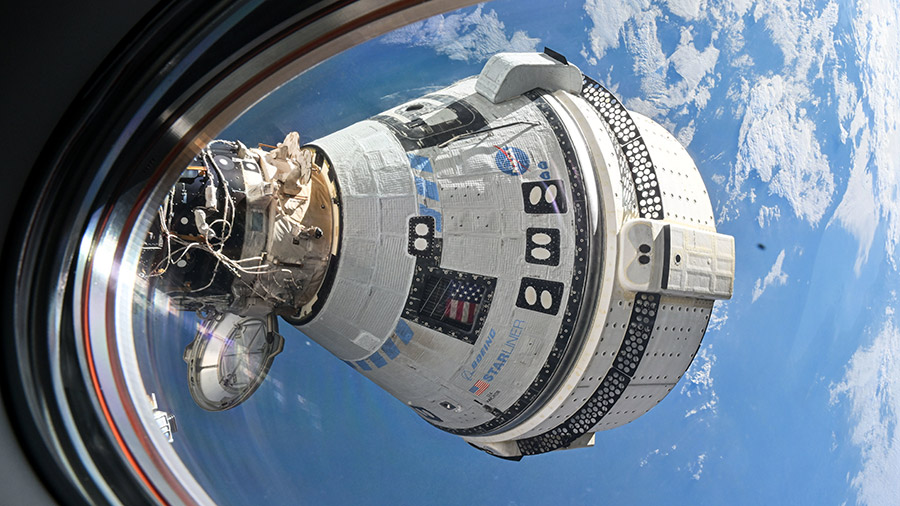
871	385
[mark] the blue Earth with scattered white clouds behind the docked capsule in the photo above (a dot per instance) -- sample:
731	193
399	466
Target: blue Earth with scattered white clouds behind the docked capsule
790	111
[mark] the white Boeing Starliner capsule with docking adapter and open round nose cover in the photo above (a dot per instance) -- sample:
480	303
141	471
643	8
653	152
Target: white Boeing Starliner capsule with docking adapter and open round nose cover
517	257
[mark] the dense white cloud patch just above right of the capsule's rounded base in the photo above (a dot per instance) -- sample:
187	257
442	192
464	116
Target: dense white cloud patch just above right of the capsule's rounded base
777	141
